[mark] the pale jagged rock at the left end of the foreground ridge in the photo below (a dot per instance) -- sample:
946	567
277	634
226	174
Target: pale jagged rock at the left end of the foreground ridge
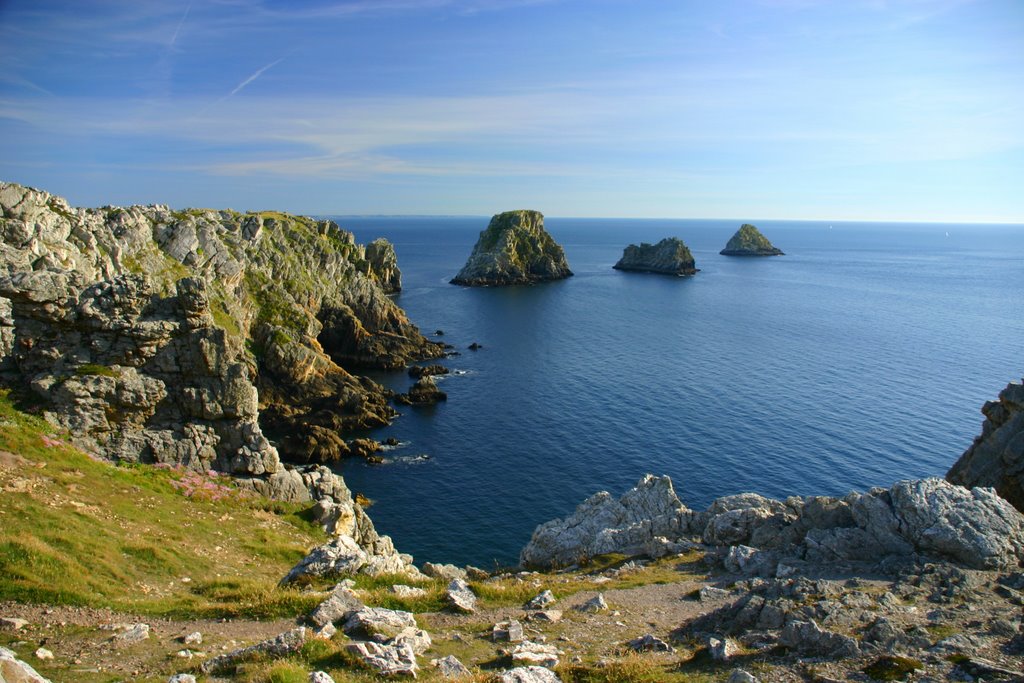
603	525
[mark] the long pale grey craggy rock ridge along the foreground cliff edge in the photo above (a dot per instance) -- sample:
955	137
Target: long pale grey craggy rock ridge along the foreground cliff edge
759	536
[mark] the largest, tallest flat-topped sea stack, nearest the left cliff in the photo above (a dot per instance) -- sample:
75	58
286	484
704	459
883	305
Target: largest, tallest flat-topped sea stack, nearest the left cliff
515	250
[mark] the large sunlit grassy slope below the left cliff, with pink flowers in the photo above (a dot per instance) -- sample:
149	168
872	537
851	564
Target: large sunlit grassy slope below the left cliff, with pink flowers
75	531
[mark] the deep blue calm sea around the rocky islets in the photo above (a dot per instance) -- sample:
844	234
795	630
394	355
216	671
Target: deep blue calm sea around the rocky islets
861	358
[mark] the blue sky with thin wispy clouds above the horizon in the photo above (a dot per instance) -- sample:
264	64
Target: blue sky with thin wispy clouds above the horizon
754	109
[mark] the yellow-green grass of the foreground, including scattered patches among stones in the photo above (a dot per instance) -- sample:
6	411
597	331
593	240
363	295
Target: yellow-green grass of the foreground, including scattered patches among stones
78	532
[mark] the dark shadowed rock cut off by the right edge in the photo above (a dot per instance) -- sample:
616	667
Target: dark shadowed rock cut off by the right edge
997	457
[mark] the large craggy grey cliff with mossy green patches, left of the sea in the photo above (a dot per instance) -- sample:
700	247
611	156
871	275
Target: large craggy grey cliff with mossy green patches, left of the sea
149	331
